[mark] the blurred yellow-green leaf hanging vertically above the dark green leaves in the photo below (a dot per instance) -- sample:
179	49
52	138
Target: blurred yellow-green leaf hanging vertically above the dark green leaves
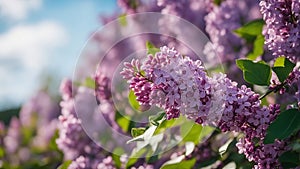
258	48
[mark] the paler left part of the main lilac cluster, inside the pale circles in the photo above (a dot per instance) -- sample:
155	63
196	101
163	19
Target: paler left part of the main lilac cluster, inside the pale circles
172	82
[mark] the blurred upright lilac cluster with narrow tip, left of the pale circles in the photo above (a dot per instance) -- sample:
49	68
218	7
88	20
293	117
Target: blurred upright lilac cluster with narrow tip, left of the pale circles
72	140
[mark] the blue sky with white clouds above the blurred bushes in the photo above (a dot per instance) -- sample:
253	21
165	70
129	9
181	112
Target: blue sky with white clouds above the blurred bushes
42	37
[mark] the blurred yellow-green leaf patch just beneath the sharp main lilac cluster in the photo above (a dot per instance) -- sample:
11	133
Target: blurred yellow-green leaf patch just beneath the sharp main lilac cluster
190	131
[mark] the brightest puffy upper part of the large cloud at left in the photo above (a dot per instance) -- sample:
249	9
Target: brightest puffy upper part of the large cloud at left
31	44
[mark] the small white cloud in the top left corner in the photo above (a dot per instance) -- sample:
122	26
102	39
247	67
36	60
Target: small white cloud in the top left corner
18	9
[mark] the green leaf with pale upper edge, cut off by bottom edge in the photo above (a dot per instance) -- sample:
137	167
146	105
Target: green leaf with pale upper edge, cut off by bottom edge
186	164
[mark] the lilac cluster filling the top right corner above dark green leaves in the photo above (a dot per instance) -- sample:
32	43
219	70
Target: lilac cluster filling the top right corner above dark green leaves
282	30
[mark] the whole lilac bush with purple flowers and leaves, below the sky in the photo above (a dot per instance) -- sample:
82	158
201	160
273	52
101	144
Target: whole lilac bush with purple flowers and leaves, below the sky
194	111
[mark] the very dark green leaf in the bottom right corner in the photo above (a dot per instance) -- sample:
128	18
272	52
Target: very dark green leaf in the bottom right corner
289	159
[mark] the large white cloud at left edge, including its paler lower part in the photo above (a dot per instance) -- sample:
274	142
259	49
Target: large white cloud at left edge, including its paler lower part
27	50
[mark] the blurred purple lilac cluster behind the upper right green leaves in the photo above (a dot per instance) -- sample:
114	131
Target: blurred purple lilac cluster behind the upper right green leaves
223	20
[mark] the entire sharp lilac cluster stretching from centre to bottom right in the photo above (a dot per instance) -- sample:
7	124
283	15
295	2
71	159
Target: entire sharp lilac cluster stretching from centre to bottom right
179	85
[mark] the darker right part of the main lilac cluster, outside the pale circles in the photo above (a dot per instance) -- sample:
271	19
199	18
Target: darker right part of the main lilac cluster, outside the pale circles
242	113
